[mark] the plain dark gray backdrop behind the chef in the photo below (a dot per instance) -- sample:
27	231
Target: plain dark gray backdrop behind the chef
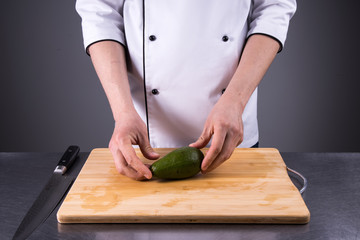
50	96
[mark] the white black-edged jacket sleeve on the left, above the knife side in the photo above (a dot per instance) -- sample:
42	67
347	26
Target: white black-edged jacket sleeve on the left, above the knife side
101	20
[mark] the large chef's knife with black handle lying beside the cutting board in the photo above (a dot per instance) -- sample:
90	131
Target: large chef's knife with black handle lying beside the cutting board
50	196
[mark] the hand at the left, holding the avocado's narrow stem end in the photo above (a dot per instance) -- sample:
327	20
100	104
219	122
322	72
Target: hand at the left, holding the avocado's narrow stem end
131	130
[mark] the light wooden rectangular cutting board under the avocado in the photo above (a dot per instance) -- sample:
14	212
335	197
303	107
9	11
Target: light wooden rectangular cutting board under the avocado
251	187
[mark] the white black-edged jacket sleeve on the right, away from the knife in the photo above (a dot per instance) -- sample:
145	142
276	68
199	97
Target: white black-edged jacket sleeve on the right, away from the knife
271	17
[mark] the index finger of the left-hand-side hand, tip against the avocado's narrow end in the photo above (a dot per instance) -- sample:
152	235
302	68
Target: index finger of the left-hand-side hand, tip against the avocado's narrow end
132	159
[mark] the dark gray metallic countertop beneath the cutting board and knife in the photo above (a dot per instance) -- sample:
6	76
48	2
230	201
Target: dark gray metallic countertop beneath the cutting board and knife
333	198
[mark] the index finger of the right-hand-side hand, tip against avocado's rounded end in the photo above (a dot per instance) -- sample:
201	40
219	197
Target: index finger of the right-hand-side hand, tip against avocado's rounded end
215	149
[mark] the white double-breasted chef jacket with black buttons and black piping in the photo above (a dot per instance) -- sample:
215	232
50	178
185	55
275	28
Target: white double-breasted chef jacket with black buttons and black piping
182	55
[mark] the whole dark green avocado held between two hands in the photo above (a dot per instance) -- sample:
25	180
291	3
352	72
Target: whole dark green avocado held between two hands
181	163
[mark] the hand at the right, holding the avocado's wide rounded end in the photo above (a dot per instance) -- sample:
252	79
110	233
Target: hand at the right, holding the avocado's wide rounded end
224	125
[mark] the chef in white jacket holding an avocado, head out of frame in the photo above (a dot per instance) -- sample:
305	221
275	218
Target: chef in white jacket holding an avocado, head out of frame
182	72
